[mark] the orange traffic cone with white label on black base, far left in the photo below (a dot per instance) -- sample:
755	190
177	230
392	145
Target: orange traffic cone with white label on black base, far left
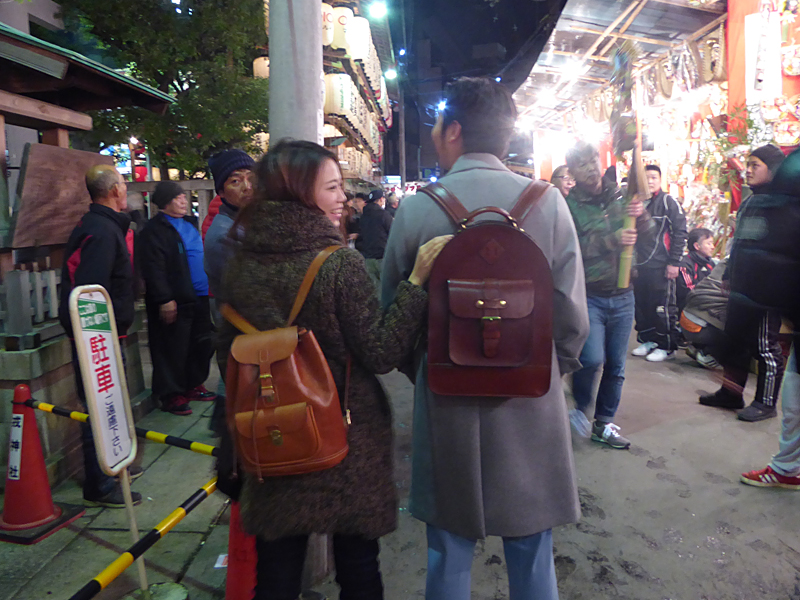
29	514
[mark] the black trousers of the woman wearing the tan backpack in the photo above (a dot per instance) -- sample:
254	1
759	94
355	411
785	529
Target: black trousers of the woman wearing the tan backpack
280	568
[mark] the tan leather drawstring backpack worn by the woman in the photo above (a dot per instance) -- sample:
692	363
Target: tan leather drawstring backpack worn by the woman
282	407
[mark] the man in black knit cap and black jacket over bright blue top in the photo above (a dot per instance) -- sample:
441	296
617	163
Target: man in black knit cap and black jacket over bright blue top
176	296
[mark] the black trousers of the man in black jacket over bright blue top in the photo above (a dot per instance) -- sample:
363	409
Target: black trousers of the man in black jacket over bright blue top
181	351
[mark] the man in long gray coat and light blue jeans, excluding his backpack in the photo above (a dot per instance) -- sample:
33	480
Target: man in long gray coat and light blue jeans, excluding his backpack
492	466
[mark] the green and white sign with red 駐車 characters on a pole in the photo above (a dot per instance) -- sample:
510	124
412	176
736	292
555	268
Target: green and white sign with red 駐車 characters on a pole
103	375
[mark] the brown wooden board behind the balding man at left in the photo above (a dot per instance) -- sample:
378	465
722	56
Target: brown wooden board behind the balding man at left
51	194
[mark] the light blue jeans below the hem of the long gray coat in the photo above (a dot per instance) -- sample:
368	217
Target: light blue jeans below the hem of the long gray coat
529	560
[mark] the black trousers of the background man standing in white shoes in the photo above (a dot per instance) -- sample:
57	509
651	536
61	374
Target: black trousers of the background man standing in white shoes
656	308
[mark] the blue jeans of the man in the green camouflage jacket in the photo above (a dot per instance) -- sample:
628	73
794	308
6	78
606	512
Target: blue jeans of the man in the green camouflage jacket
611	321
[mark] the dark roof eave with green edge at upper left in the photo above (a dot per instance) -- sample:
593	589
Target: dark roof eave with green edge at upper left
41	71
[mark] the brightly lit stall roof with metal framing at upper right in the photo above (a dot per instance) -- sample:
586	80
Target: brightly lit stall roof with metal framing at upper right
576	61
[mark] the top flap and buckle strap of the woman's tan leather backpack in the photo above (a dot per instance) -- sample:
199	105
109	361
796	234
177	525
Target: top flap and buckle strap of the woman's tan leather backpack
262	349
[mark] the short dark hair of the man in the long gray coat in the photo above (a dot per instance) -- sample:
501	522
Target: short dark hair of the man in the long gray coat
486	112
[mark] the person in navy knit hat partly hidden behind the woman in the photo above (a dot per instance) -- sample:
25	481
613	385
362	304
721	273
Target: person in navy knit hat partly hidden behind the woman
232	172
